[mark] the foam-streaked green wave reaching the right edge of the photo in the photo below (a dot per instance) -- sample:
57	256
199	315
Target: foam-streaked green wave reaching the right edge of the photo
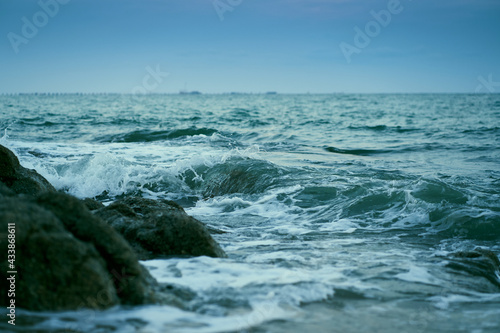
420	207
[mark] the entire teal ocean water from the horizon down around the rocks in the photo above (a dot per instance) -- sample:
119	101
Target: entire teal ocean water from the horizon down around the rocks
341	211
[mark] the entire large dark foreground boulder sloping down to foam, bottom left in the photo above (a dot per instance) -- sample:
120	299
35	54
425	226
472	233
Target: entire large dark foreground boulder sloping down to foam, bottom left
66	258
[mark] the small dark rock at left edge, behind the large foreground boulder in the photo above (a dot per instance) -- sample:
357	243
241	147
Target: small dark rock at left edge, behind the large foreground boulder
20	179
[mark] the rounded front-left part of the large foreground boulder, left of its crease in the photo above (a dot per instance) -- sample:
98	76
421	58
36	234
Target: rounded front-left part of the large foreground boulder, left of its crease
55	270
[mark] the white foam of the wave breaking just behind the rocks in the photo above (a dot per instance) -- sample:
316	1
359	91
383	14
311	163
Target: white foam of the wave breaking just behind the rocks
88	170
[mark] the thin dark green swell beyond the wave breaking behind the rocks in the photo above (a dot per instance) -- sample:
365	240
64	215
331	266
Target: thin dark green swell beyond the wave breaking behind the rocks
151	136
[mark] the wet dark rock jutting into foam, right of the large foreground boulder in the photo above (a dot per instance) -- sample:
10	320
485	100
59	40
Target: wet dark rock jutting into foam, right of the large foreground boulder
159	228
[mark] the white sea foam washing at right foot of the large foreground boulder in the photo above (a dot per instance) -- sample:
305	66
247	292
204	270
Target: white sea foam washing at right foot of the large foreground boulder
207	276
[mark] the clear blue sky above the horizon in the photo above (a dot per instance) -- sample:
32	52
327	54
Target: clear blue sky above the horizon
254	46
